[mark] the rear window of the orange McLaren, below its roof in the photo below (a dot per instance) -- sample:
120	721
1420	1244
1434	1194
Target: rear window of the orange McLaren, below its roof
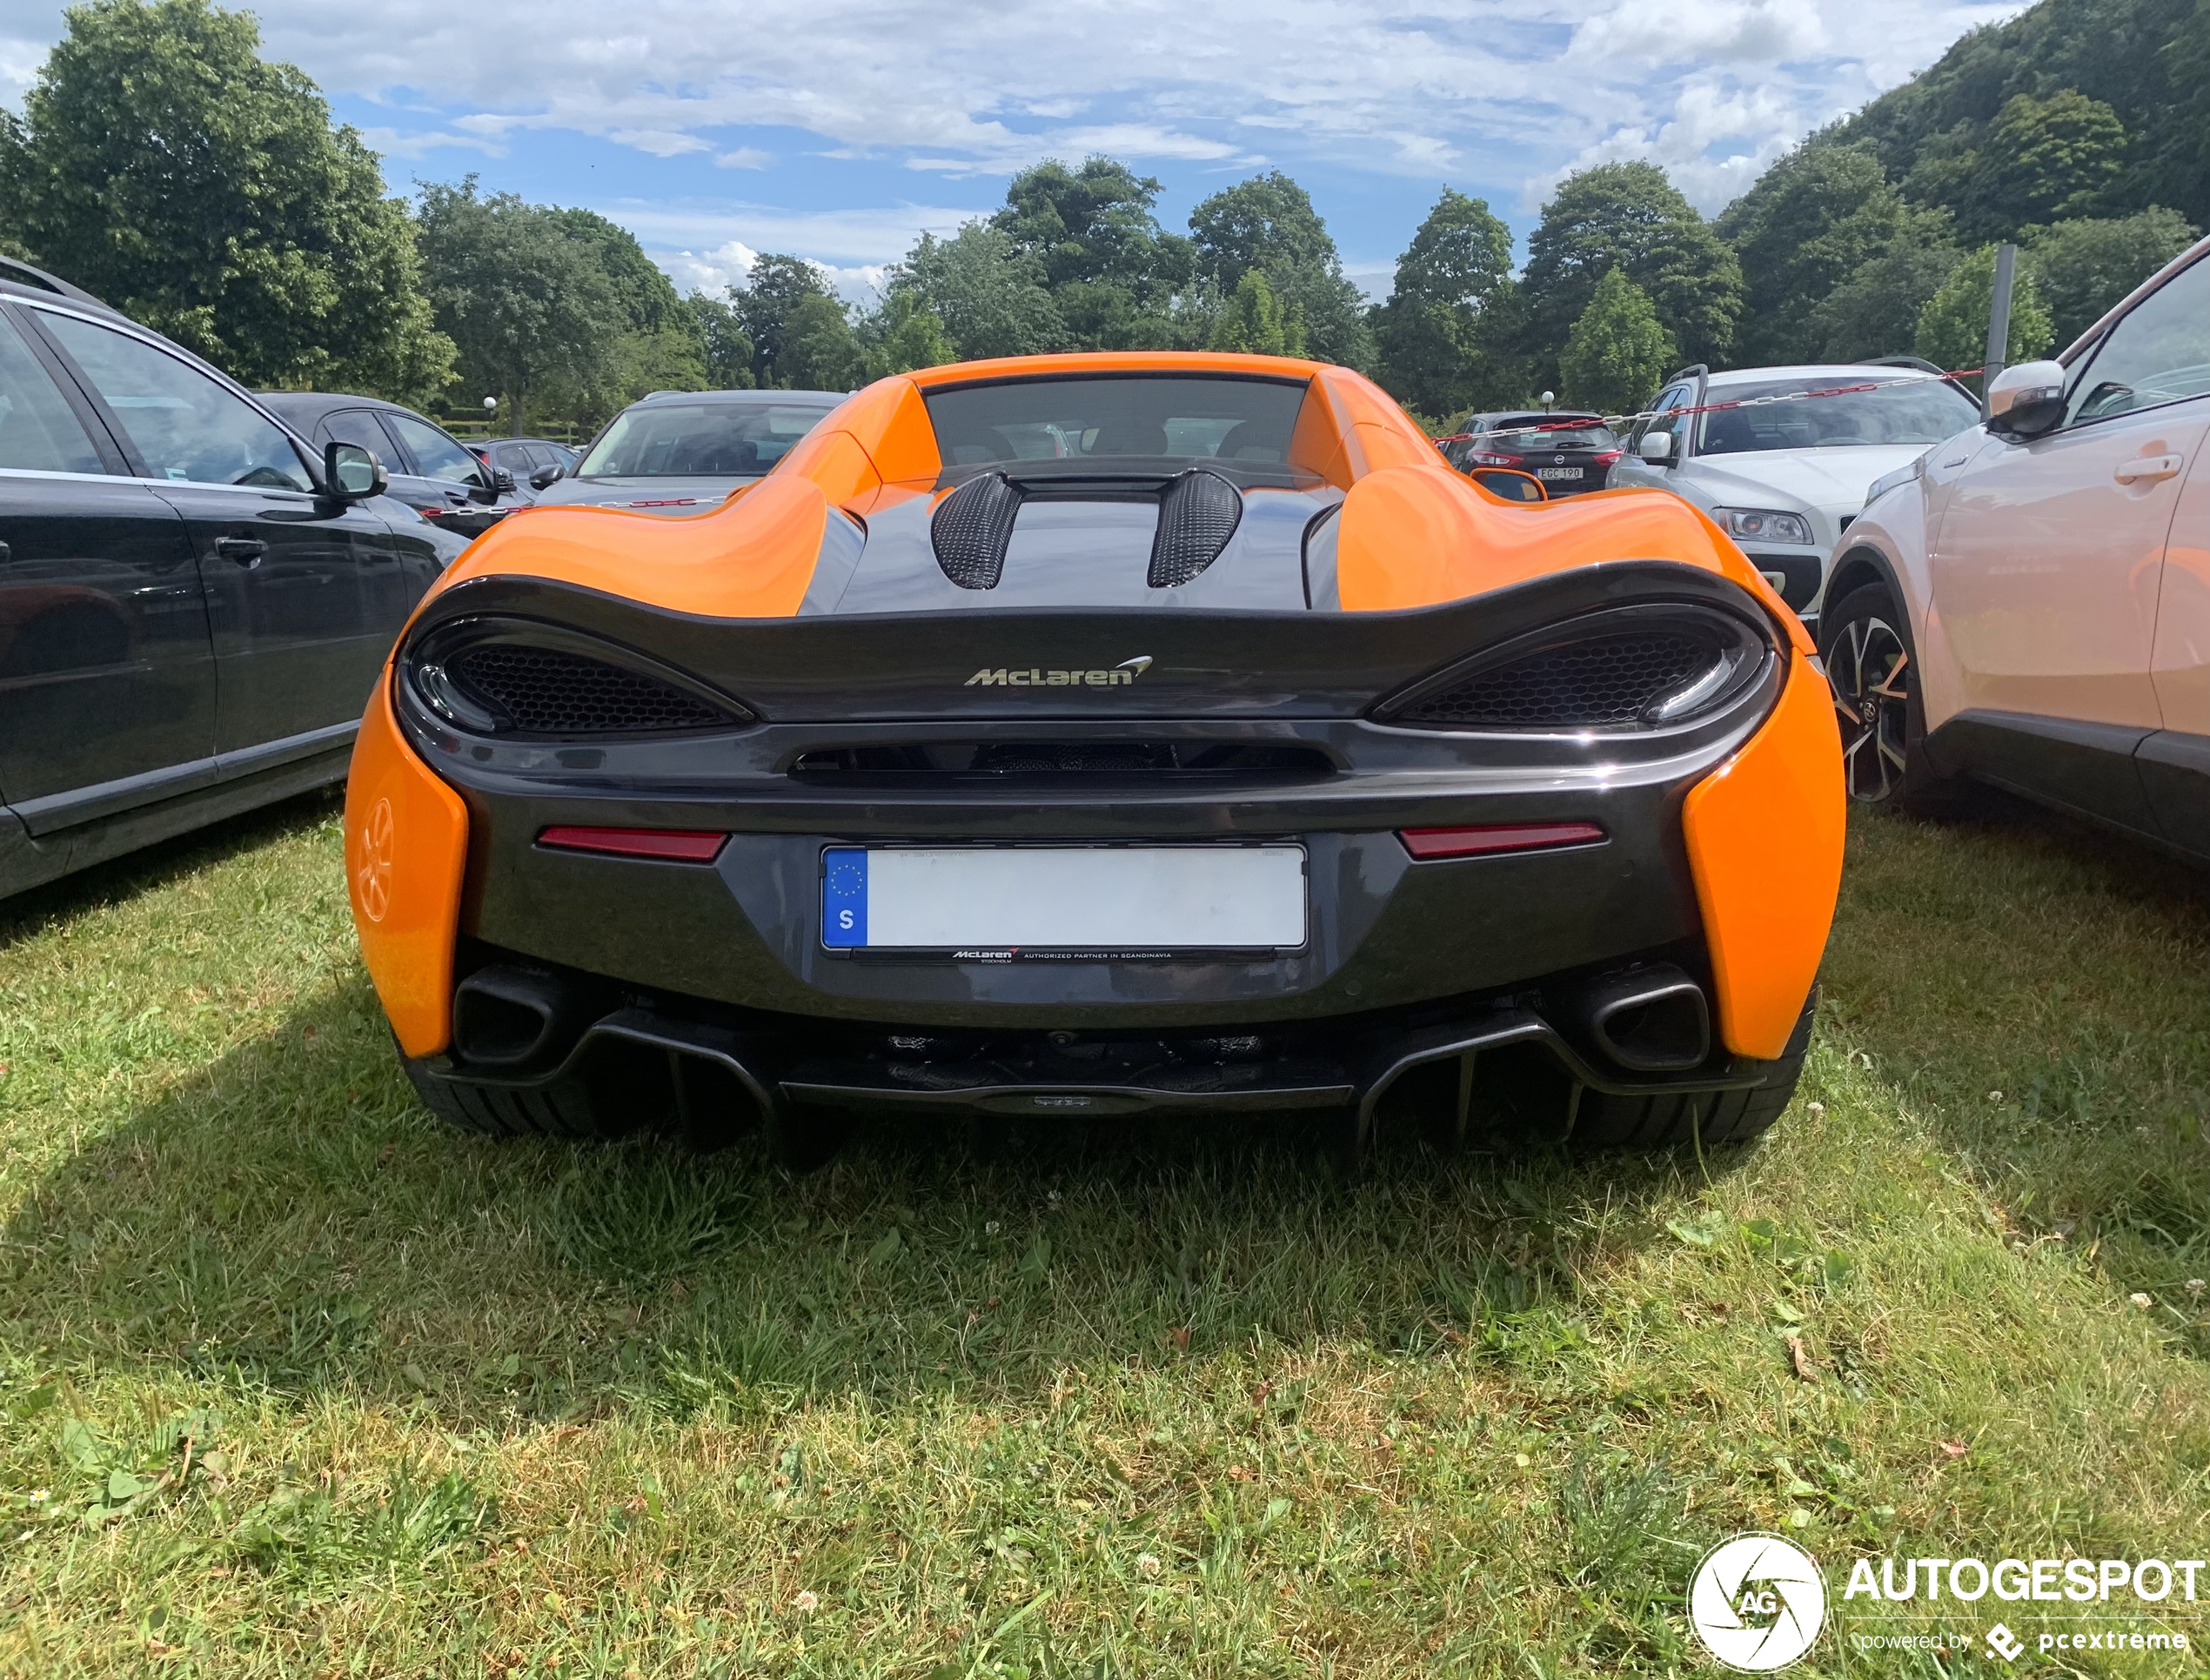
1117	423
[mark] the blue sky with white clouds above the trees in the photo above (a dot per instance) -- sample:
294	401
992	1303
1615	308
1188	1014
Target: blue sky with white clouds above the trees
843	129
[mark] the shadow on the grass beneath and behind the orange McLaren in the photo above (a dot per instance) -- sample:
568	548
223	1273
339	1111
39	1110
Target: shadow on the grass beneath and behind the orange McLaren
291	1219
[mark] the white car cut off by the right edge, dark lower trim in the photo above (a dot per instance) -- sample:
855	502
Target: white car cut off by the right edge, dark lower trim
2030	602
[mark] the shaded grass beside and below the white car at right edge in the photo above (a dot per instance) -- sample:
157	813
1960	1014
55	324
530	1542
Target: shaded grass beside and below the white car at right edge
2037	989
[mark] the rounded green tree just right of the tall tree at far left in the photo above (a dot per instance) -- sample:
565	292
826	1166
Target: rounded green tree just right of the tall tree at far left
527	304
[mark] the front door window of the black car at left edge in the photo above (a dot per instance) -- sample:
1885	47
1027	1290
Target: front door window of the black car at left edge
182	423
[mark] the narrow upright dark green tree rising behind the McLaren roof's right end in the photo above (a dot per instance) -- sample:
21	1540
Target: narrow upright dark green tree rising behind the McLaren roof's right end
1435	348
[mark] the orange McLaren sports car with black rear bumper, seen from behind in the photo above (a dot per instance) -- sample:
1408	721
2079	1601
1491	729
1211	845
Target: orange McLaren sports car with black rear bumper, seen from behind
1104	735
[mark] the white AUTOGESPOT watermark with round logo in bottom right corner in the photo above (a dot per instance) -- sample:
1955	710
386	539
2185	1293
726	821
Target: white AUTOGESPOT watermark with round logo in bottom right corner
1760	1604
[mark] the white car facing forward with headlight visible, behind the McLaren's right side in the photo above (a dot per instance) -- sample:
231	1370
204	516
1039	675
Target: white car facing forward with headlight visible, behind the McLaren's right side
1787	474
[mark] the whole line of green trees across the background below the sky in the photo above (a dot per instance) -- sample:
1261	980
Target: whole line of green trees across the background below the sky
167	167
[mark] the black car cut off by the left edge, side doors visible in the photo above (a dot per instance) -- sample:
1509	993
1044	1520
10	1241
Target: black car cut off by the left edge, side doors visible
193	602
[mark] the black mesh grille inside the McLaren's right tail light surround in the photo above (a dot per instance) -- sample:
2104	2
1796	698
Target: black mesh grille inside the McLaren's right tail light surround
1579	686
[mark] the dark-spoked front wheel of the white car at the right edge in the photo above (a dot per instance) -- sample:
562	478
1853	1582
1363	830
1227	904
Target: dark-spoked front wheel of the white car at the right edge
1873	671
